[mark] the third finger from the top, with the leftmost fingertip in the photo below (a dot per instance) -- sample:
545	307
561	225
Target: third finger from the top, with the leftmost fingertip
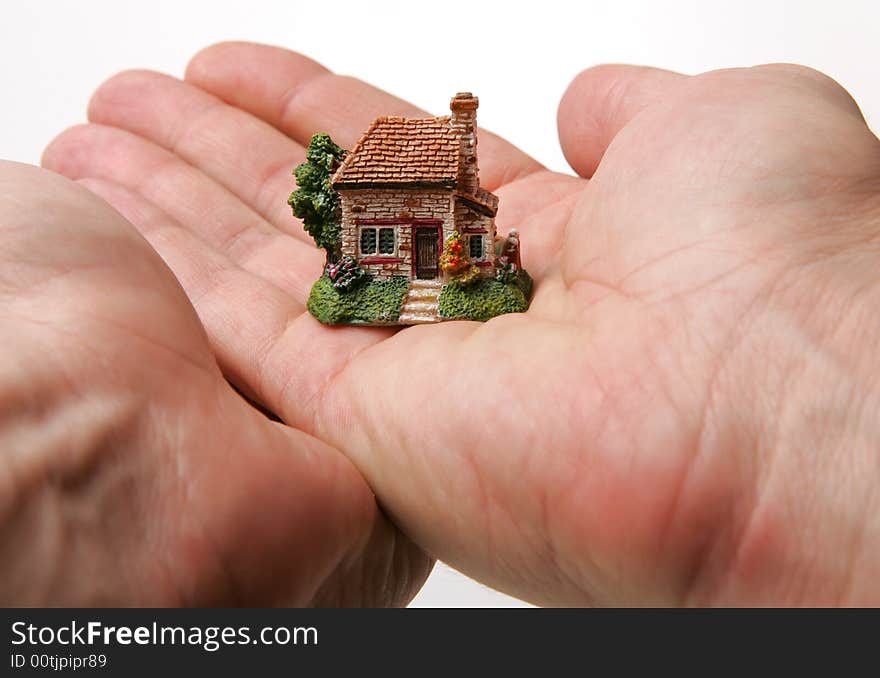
189	197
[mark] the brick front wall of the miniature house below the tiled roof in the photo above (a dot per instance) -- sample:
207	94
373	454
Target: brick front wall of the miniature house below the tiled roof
392	203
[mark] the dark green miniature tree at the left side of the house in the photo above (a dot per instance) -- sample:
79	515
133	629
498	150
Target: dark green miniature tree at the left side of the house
315	201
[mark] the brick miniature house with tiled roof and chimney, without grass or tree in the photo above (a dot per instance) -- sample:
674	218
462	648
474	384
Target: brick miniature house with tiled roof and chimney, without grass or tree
407	185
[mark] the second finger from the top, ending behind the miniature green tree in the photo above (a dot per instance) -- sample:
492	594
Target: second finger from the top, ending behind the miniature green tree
248	157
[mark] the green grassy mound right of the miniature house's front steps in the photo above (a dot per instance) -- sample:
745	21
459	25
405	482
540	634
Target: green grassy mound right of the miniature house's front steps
485	298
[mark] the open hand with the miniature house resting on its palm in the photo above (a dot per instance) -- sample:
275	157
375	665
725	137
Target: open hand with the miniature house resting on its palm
688	412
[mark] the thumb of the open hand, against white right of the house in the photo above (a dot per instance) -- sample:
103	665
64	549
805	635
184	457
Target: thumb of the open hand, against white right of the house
600	102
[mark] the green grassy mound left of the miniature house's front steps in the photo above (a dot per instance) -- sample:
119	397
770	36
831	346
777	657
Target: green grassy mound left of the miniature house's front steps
372	303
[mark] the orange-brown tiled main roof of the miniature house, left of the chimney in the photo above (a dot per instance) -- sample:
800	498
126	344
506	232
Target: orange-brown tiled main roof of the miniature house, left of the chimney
415	151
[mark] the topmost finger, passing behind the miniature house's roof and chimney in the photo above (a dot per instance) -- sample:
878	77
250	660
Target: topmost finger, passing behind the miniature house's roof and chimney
301	97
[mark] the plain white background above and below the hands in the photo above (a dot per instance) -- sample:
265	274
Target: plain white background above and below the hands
518	57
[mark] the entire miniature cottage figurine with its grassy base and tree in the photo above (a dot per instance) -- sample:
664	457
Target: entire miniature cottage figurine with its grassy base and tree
412	223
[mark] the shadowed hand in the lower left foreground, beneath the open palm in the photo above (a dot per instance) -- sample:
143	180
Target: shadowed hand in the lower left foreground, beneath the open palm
132	472
